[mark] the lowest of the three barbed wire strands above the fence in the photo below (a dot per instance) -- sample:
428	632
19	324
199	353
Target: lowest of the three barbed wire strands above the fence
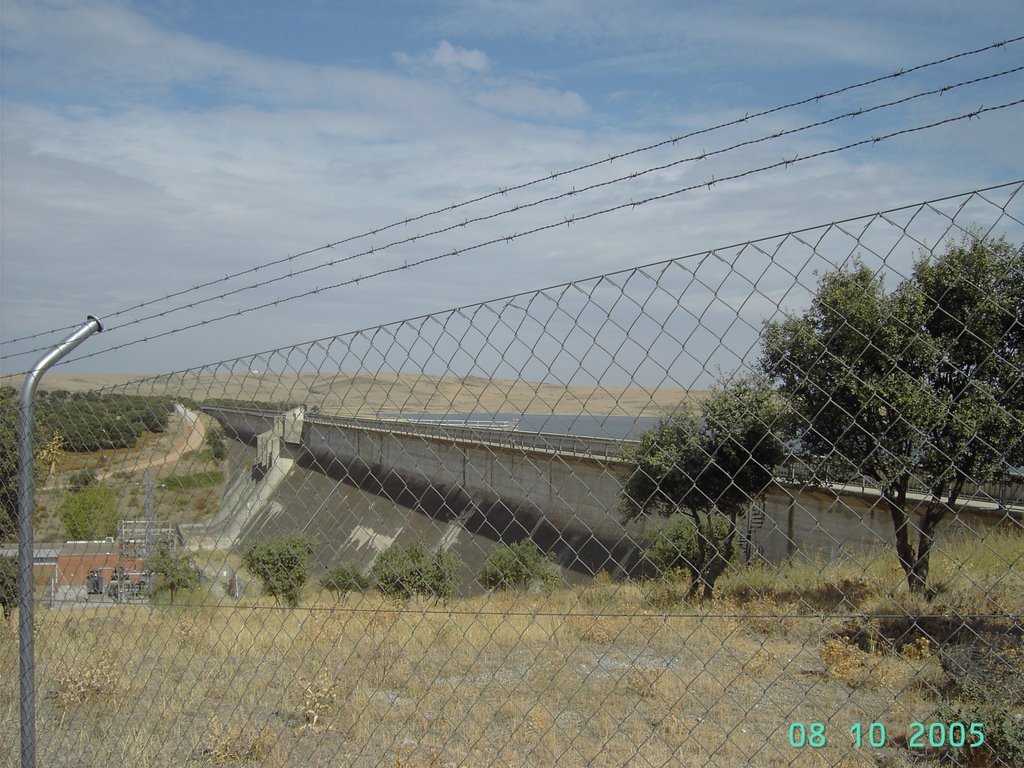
509	238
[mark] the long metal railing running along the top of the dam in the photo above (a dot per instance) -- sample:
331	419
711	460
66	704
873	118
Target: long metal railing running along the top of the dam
1005	494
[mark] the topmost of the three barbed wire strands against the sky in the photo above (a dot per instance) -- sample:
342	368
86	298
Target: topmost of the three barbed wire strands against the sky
516	188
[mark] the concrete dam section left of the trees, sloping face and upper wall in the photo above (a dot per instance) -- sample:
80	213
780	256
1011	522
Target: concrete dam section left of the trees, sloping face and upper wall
360	485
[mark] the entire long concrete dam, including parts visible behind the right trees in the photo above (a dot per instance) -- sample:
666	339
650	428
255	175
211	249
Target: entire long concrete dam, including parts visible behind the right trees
359	485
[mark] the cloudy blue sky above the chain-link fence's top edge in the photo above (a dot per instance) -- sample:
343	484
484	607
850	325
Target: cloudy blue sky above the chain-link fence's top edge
150	148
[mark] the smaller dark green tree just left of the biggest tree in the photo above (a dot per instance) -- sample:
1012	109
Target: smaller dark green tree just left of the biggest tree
710	466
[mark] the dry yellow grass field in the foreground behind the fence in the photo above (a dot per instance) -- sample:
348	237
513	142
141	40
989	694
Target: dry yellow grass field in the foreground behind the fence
583	677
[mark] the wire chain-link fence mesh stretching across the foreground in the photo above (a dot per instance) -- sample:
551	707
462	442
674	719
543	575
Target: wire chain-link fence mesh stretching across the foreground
757	506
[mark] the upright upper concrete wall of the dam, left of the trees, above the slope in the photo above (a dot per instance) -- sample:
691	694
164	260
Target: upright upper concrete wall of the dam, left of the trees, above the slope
565	501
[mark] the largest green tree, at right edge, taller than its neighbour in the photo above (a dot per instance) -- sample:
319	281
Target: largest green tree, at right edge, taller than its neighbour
924	382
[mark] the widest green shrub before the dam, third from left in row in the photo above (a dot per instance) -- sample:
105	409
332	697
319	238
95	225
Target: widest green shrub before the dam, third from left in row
402	573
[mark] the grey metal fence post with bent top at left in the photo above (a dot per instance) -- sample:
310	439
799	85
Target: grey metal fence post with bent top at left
26	509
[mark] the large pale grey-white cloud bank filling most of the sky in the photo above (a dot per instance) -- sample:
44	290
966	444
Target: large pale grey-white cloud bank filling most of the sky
120	191
